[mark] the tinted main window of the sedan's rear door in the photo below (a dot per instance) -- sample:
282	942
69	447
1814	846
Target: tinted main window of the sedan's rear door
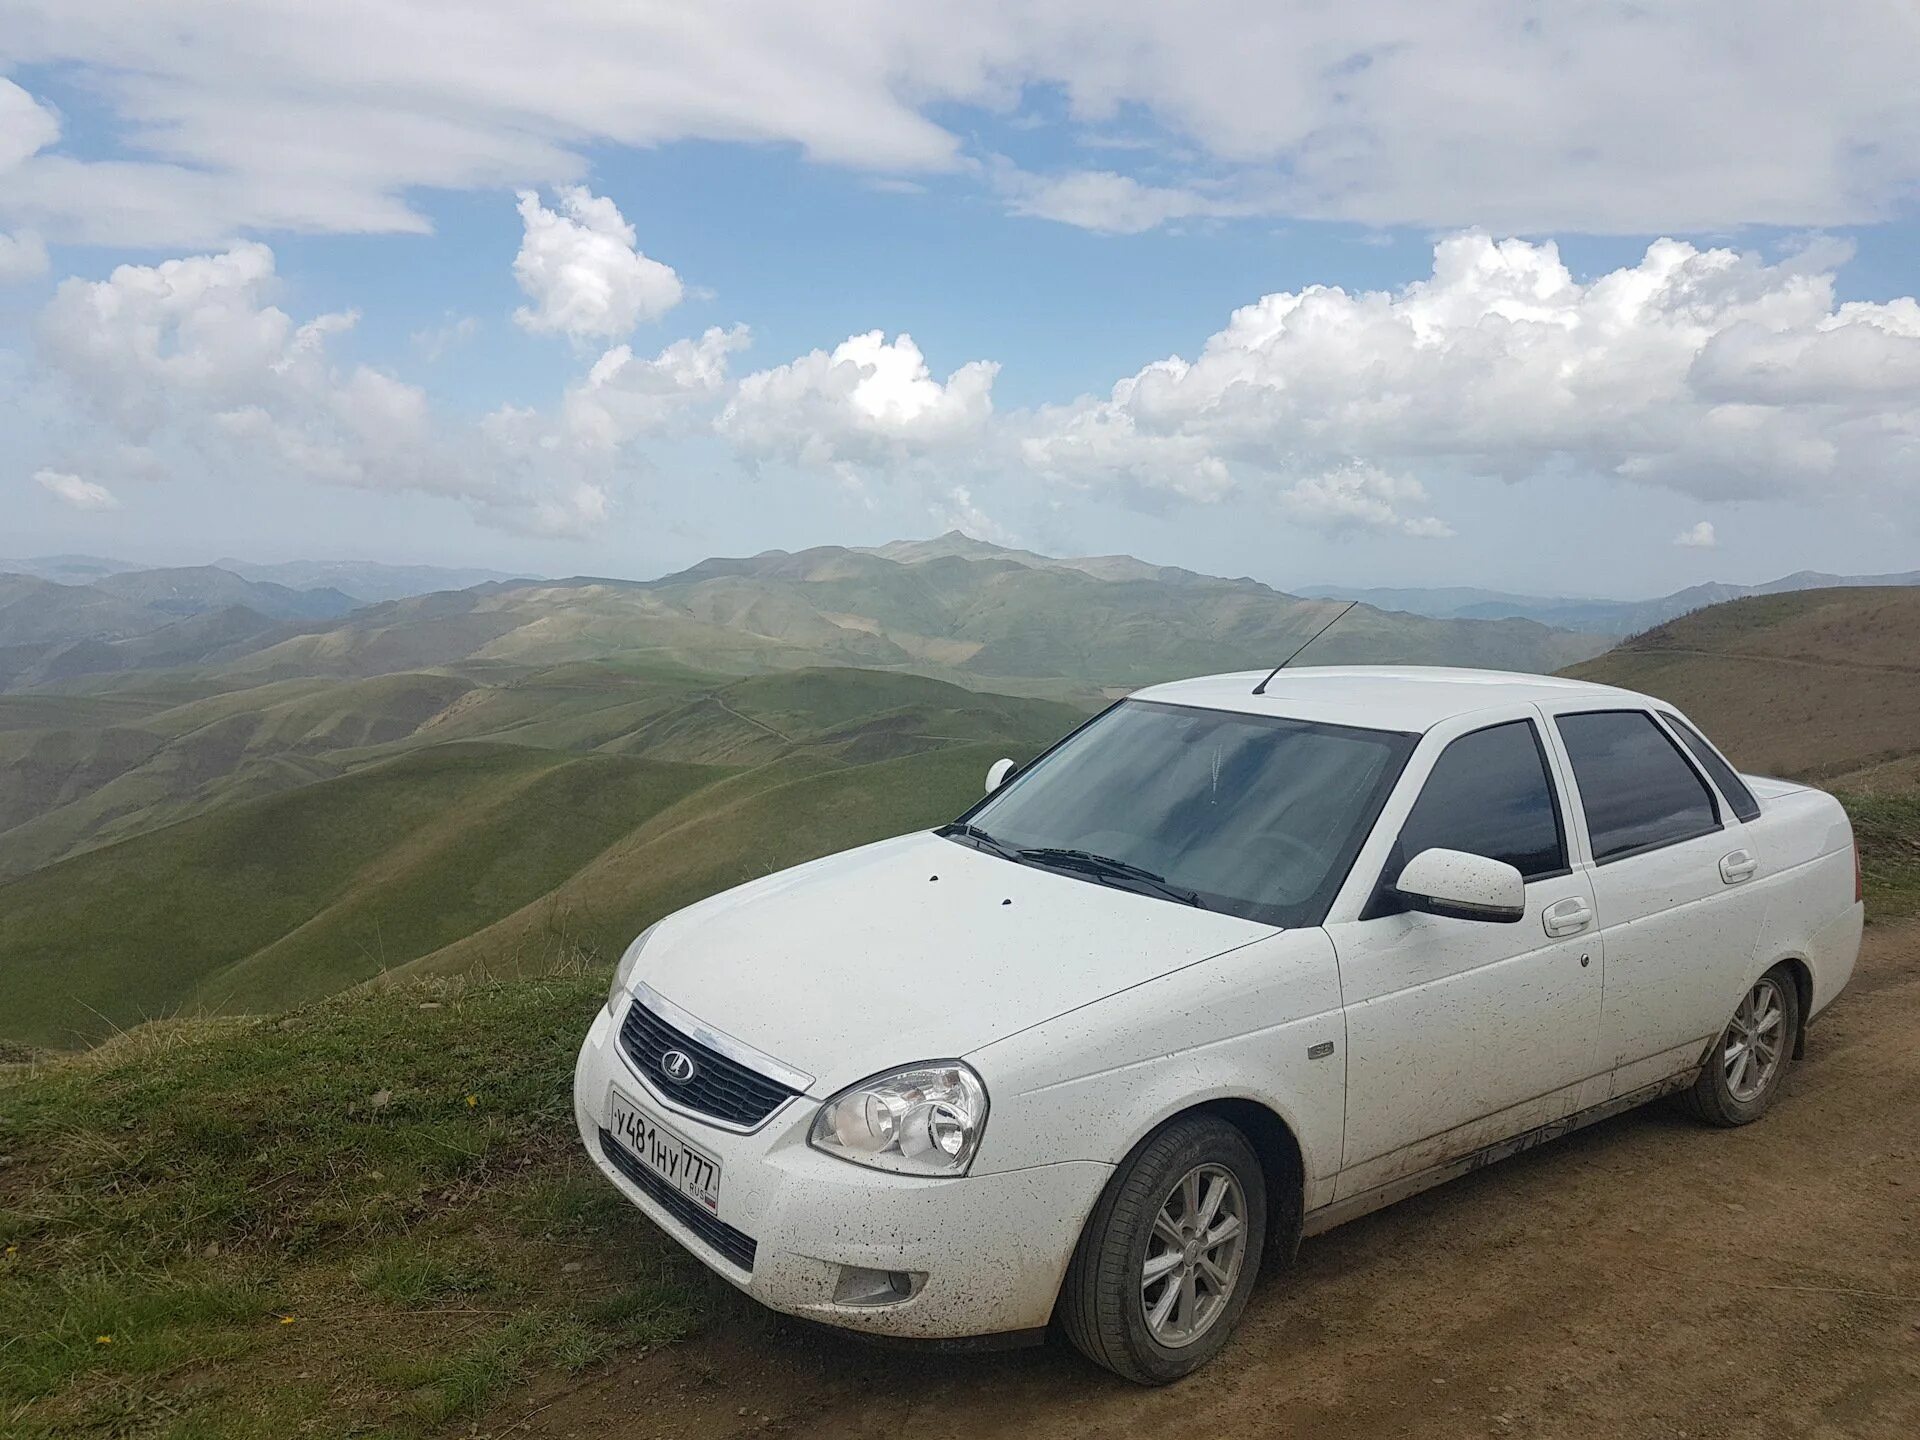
1637	788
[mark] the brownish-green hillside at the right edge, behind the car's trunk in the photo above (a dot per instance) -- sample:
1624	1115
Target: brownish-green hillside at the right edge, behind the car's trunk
1819	686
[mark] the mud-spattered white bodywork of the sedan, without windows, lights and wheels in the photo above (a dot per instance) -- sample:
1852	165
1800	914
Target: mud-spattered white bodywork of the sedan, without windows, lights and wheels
1399	1049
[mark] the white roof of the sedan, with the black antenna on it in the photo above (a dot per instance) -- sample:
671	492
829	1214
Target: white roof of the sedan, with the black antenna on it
1381	698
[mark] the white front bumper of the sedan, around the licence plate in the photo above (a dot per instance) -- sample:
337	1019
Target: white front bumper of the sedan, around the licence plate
986	1251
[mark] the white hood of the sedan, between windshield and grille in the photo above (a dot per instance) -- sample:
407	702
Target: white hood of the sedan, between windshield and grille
915	949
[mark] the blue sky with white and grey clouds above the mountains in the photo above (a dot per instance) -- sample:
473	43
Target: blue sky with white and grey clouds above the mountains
1581	299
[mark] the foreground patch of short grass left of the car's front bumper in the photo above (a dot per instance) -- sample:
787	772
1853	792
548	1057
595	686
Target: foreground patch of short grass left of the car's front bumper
364	1220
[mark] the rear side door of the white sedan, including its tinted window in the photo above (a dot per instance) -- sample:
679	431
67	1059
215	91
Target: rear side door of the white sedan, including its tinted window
1669	867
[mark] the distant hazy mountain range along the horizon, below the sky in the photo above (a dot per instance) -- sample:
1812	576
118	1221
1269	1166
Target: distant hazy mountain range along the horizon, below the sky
953	608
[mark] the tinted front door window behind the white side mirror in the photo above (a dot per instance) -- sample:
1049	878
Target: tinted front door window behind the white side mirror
1489	794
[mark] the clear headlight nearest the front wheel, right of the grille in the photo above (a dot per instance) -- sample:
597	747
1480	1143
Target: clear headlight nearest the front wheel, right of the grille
924	1120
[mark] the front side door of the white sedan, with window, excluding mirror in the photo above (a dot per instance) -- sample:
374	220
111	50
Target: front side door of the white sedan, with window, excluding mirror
1468	1032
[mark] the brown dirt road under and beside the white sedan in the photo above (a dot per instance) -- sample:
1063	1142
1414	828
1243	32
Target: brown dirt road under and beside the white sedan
1648	1278
